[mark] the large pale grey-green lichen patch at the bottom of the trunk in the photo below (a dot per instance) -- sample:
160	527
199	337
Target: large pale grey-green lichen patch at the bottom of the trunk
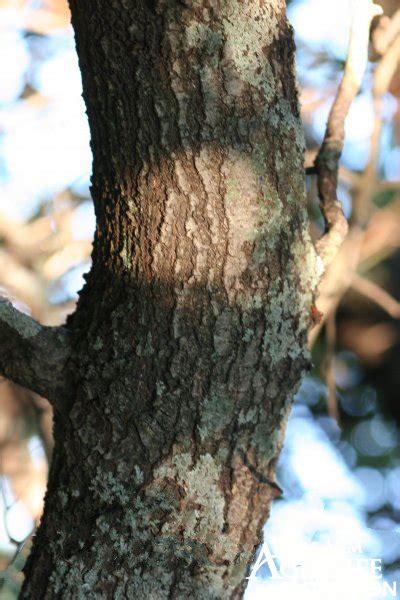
179	520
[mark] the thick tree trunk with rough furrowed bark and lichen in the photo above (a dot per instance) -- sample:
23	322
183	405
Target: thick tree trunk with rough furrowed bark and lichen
189	338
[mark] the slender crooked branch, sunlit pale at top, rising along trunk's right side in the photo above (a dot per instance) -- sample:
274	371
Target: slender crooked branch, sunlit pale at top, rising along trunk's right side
327	161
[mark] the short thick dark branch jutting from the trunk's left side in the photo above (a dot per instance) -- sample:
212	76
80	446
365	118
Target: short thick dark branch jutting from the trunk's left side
33	355
